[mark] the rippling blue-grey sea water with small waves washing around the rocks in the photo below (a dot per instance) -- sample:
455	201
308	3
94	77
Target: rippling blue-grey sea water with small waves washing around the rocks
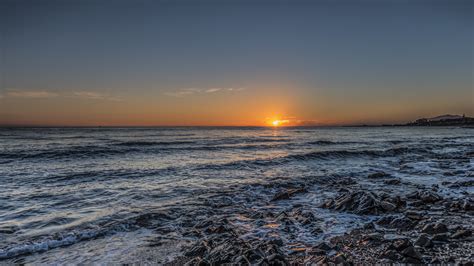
98	195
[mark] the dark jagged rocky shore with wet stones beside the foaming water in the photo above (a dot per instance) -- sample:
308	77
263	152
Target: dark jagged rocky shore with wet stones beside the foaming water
418	227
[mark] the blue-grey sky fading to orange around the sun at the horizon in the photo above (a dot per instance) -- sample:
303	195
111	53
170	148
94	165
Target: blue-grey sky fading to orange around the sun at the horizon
233	63
